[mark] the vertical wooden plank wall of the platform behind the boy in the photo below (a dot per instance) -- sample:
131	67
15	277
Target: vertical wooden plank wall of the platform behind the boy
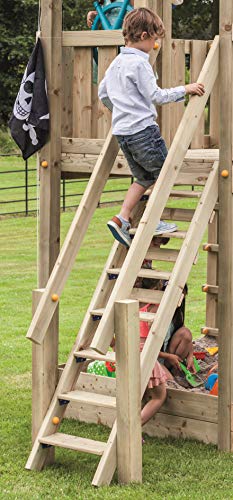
83	114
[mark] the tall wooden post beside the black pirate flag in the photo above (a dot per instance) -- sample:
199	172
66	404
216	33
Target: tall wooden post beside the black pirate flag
47	354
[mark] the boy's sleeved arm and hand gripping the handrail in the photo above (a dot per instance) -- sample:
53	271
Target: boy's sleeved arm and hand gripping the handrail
147	85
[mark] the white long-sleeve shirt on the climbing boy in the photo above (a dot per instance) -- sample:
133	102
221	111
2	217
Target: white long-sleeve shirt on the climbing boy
130	90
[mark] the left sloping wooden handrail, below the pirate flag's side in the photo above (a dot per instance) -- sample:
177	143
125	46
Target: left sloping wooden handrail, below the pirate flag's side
66	258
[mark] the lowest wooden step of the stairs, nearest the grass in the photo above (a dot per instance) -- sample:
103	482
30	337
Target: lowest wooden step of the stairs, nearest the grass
74	443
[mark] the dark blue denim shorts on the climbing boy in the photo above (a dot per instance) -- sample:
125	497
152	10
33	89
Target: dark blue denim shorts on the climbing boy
145	153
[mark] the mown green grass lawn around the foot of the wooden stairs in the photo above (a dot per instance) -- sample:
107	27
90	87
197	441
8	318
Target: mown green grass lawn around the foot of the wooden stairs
171	468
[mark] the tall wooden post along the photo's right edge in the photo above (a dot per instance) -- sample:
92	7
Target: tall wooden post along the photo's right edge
225	399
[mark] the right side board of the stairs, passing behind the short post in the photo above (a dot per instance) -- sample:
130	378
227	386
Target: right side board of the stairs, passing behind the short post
167	307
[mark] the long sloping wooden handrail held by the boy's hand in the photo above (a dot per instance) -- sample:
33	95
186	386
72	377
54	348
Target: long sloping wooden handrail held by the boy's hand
158	199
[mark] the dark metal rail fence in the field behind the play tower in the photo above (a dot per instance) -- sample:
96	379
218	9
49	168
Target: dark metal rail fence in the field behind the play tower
25	201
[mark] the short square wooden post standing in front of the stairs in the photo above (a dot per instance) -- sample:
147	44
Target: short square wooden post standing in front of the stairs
128	392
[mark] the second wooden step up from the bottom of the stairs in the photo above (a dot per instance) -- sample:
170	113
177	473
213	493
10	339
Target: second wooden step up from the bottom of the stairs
90	398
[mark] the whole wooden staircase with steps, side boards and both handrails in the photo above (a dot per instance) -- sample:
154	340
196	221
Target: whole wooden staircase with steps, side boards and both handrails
117	282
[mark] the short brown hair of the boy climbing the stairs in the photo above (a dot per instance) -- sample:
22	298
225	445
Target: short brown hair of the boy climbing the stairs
139	20
